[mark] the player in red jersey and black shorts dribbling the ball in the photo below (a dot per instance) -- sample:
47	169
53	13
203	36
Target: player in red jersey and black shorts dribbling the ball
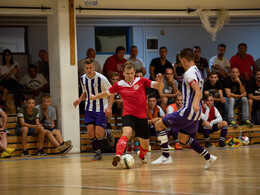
132	91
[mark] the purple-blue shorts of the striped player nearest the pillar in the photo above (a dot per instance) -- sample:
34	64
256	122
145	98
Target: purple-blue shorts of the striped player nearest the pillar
96	118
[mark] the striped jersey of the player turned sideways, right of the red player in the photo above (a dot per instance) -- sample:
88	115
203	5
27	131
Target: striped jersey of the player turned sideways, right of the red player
192	74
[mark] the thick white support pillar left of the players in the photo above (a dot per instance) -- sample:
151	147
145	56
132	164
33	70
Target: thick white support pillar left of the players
63	75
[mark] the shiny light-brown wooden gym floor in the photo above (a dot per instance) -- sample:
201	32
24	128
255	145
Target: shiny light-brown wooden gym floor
237	171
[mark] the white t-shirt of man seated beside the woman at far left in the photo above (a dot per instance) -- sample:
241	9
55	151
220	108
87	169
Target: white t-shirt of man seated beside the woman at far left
34	83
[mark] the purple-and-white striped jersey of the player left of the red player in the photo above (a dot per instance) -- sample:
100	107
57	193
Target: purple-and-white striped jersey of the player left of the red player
96	85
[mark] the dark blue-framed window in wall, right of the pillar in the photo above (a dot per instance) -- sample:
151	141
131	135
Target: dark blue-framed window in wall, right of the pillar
107	39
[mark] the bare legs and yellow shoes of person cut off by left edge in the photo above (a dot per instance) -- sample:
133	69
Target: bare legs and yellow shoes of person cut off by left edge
7	152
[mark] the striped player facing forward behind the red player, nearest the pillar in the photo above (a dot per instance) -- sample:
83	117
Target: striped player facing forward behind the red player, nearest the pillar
95	118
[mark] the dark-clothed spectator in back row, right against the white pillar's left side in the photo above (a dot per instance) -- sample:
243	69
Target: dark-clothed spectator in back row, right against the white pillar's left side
43	64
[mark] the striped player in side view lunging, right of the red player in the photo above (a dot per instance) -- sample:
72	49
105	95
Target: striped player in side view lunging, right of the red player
187	118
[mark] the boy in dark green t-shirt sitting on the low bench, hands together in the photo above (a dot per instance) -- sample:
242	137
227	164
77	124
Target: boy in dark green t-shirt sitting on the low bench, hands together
29	124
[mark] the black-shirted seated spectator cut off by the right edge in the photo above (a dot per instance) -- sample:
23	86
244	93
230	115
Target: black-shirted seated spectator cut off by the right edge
253	90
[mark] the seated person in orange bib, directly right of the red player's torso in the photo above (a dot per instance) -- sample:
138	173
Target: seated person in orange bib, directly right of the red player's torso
154	112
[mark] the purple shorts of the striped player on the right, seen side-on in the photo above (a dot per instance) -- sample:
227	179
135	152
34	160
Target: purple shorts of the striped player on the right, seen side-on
180	123
